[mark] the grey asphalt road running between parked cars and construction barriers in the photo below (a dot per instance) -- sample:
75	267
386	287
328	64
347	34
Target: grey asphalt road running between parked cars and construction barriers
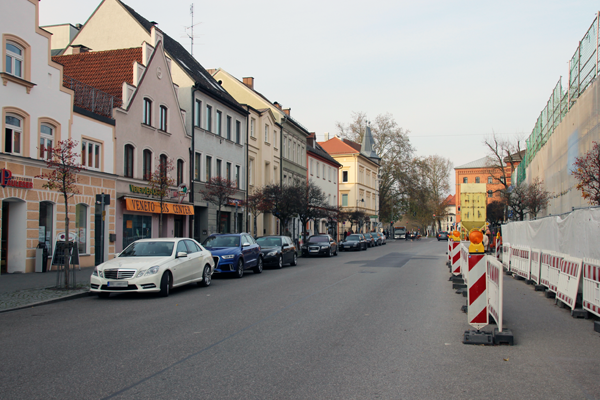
380	324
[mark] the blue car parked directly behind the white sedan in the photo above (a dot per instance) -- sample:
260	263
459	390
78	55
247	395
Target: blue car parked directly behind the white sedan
235	252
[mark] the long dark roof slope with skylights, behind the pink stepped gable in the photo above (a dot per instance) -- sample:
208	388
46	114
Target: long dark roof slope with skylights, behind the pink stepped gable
182	57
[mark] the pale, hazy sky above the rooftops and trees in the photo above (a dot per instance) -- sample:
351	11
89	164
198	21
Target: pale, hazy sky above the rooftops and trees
451	72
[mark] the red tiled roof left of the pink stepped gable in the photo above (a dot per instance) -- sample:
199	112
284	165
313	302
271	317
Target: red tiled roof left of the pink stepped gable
103	70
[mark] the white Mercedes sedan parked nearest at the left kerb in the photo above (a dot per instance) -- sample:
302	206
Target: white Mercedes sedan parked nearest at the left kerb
154	265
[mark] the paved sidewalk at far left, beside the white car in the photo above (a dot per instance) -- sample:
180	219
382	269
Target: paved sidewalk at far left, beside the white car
26	290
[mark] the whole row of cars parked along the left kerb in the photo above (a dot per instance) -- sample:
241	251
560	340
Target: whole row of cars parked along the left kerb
159	265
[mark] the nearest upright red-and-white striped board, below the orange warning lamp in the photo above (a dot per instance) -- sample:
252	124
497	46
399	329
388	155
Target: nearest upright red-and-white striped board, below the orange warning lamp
477	313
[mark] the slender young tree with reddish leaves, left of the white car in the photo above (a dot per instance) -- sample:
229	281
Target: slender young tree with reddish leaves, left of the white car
63	178
